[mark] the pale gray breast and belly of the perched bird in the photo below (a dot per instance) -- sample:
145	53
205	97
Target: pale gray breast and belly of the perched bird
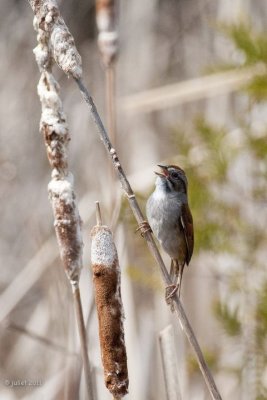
163	213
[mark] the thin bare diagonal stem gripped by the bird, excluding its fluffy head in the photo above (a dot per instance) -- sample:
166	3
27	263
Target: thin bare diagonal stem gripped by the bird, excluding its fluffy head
214	392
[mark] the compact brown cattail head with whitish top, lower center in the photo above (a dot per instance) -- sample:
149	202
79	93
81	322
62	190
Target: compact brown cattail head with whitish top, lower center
106	277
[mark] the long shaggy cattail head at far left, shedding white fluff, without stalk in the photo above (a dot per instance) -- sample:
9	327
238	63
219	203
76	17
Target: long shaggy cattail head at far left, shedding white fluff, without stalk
55	131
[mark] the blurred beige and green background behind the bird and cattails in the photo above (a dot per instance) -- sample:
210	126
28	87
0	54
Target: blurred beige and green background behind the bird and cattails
191	90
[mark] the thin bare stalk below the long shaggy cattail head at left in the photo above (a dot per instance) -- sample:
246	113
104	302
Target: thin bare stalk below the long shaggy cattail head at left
83	339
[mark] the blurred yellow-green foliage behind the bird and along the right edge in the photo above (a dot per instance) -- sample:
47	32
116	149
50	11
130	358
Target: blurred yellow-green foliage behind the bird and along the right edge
221	225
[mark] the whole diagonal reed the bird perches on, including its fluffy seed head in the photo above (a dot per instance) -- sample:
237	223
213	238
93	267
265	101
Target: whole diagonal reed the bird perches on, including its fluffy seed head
42	11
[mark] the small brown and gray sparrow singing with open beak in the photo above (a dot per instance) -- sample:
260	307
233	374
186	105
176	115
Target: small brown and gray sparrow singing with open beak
171	221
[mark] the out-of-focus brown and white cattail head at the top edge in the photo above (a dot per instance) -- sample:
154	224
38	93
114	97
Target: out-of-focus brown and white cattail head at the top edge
106	19
